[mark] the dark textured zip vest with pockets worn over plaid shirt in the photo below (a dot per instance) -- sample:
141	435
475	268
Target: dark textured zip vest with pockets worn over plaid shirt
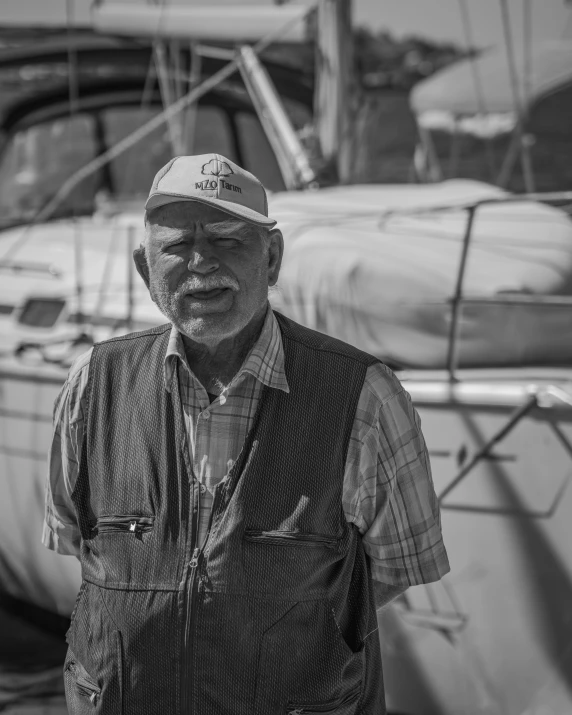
276	614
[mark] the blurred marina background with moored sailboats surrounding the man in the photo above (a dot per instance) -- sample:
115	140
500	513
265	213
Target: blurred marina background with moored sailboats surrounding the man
418	157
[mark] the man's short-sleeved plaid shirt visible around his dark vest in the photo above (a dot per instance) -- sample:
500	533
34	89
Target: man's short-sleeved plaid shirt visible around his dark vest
387	491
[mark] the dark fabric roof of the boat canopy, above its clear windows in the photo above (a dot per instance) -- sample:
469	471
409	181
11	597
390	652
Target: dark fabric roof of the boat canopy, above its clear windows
36	76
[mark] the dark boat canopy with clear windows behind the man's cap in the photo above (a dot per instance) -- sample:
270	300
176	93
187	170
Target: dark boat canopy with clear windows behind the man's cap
66	98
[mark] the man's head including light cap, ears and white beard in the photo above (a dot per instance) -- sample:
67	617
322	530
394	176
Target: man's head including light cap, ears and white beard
207	260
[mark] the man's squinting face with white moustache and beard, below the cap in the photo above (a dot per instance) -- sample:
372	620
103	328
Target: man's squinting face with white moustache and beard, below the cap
208	272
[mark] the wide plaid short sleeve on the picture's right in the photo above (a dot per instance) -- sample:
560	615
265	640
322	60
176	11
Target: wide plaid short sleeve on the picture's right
388	487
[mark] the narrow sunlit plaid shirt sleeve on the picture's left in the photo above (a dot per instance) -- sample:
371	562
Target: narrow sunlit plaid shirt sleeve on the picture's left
61	531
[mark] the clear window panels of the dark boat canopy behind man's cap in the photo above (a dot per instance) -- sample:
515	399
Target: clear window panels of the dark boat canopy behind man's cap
36	161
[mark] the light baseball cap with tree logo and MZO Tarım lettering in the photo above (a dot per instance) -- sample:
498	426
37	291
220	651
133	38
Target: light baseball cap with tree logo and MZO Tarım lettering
214	180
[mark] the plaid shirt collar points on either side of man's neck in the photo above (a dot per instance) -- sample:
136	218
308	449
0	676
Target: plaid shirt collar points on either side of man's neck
265	361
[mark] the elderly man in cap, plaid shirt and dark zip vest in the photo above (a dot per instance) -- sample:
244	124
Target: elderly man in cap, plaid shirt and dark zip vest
242	492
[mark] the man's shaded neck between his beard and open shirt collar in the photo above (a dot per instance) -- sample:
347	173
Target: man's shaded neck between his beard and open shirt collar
216	364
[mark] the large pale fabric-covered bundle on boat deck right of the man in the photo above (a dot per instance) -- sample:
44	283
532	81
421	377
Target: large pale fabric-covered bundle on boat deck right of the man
358	267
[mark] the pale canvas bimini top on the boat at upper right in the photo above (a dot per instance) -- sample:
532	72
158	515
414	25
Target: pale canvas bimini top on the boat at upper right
449	100
